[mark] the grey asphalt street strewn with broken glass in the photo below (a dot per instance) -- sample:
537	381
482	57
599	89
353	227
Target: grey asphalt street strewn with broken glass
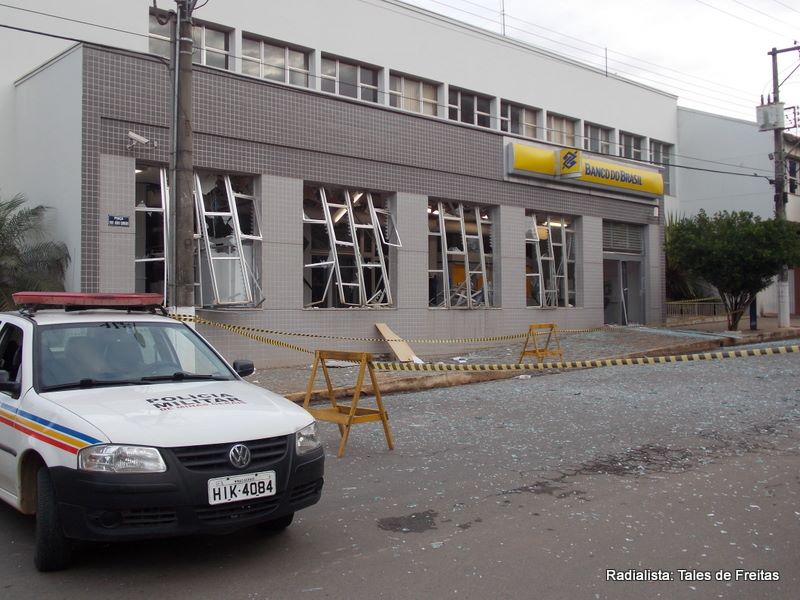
562	485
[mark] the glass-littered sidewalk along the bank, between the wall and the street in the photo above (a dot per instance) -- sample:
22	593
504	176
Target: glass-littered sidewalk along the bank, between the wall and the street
608	342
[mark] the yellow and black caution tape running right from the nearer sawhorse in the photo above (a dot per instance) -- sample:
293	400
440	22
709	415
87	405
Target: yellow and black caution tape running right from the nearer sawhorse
587	364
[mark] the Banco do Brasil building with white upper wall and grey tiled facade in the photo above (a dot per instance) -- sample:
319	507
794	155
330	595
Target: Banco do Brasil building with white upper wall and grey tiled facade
374	163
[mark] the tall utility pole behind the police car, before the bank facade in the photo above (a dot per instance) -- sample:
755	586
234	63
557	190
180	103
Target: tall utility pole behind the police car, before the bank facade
183	234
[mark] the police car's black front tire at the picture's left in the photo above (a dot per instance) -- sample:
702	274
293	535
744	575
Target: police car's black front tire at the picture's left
53	548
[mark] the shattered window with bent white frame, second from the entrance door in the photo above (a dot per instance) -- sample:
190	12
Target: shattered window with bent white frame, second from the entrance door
460	255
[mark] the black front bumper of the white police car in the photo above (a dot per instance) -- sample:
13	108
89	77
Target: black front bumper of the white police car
107	506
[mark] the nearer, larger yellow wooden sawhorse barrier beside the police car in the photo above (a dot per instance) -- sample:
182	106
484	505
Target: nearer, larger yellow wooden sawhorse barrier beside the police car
347	415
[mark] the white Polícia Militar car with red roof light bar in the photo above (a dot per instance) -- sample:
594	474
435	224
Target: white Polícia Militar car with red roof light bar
120	423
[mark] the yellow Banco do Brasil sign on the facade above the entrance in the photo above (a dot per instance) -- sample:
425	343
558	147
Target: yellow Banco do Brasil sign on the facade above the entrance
577	167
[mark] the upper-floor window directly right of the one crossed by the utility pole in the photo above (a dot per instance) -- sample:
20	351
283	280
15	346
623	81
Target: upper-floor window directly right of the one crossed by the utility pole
274	61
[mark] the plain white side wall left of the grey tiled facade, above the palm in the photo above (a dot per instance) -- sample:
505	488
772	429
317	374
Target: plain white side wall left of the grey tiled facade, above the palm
47	150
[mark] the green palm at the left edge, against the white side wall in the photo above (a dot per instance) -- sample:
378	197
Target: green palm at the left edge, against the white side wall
29	260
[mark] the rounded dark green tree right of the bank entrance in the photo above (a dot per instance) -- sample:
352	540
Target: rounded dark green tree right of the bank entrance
736	252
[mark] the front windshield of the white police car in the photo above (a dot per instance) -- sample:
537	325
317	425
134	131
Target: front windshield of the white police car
78	355
